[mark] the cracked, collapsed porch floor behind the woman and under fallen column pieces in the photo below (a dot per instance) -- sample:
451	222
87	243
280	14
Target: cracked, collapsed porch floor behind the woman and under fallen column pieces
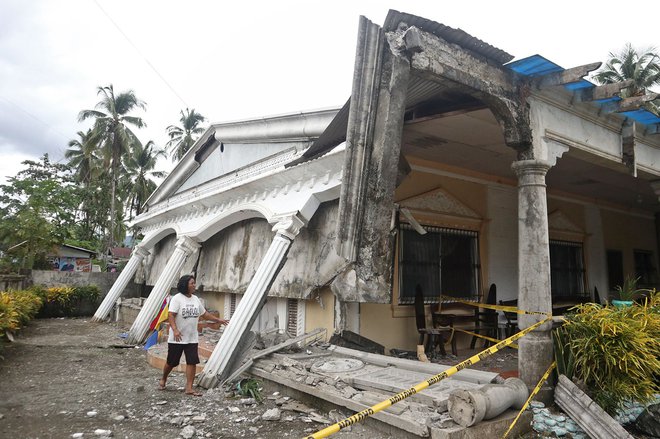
341	377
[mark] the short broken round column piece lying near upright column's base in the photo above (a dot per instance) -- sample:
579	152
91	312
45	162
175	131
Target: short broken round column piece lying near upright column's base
469	407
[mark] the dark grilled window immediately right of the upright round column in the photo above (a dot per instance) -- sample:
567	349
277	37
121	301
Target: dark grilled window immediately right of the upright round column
566	269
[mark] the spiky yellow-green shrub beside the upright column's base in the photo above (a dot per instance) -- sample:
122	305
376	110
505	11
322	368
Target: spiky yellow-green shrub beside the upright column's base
614	351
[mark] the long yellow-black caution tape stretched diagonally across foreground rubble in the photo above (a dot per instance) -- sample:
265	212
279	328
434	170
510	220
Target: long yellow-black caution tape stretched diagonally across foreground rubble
424	384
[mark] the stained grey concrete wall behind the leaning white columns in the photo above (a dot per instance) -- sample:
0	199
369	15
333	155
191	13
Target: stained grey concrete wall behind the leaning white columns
230	258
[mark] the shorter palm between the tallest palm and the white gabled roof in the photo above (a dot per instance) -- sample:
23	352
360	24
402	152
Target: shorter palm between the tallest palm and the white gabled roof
139	172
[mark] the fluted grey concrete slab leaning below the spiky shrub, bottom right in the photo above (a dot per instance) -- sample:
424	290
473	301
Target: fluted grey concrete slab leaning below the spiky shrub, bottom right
588	415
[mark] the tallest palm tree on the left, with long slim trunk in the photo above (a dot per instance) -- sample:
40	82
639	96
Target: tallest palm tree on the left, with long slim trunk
111	131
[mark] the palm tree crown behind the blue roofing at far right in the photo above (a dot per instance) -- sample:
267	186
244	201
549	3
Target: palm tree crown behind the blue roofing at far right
643	68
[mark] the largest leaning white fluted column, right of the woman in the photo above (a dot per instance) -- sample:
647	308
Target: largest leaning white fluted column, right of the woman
226	355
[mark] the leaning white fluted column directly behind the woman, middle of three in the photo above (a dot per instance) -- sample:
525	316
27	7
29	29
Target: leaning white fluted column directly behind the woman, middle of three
184	247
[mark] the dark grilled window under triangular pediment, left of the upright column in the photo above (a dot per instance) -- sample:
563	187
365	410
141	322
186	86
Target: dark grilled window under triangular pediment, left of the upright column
443	261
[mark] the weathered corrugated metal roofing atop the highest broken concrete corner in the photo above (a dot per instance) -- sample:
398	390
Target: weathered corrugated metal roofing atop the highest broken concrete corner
449	34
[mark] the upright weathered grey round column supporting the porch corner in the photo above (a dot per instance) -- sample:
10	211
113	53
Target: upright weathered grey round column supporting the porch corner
534	294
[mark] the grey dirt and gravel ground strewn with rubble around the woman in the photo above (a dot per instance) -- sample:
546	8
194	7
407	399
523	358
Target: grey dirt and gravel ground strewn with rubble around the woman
66	376
